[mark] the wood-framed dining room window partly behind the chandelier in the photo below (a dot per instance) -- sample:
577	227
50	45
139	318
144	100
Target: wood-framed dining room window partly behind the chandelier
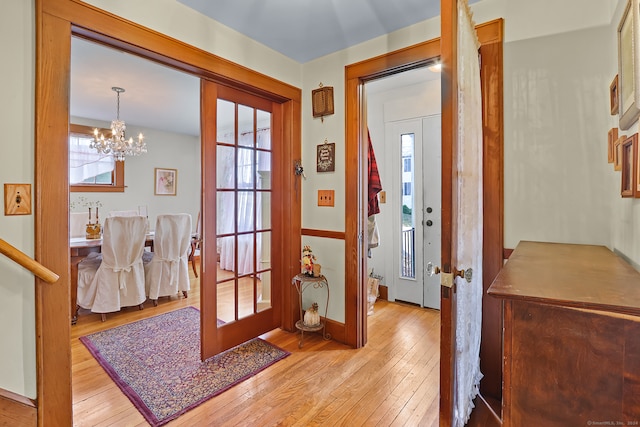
90	171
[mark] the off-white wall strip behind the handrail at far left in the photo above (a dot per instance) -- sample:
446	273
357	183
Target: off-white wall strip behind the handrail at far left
17	69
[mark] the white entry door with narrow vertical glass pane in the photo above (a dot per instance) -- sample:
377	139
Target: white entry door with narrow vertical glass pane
416	148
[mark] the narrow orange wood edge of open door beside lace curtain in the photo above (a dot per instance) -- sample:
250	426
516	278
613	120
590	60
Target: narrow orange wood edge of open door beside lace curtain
449	94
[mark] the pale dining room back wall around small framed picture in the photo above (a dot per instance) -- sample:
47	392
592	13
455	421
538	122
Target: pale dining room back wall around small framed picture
165	150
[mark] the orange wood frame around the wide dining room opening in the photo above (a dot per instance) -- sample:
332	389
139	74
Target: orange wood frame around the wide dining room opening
56	21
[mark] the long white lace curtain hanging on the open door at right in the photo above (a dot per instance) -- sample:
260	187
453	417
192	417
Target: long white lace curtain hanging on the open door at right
469	295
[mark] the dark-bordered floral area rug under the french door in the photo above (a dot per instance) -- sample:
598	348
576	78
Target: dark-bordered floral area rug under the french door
156	363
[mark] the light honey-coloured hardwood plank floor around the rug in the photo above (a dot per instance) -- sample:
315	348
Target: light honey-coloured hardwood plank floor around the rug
393	380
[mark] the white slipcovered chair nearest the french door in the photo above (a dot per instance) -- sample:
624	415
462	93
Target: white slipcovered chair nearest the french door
167	273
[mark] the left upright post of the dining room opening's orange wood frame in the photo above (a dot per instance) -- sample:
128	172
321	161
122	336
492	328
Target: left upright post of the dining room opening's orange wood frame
53	313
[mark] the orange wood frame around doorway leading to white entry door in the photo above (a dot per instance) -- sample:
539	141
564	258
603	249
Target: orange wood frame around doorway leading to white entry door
489	34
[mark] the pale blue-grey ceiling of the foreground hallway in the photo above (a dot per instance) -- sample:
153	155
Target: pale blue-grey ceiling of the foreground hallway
304	30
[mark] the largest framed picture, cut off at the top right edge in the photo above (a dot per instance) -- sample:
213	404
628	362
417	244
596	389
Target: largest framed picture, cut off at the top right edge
627	66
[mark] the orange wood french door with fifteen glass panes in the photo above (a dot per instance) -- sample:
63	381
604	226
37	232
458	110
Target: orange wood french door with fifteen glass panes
240	221
